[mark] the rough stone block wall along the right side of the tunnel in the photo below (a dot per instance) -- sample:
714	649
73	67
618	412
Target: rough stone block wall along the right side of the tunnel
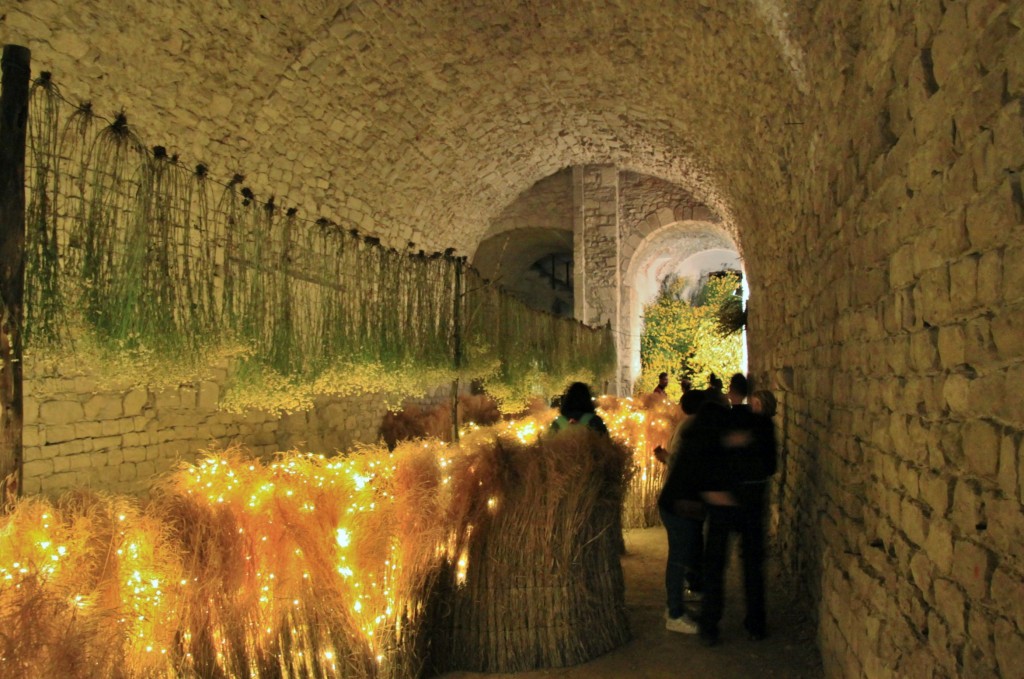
891	325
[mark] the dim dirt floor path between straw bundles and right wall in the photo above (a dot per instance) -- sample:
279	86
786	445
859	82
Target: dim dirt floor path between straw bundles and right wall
789	653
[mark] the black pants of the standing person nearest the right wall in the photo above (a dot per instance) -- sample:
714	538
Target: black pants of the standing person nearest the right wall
748	521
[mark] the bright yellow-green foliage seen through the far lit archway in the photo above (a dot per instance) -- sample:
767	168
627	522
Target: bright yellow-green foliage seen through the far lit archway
682	337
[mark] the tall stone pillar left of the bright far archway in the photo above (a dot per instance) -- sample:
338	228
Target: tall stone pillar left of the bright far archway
595	246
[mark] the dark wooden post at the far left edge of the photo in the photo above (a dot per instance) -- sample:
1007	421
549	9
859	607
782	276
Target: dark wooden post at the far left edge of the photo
14	122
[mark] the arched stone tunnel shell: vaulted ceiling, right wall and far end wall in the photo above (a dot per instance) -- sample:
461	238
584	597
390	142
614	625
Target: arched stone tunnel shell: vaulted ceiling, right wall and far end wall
864	158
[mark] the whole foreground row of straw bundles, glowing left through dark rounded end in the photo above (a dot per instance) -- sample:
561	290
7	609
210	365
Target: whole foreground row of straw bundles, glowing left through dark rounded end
311	567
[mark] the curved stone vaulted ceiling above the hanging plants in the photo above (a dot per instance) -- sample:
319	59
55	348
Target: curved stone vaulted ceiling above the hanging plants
418	121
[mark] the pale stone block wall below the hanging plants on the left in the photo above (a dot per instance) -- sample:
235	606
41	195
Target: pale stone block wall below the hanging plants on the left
78	435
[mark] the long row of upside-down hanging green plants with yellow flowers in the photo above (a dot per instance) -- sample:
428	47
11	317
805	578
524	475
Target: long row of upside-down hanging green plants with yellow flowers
134	261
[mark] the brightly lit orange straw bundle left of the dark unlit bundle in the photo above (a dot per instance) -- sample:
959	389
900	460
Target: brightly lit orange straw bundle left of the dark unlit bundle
308	567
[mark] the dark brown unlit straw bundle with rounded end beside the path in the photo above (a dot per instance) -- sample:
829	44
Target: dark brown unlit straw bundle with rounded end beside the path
539	528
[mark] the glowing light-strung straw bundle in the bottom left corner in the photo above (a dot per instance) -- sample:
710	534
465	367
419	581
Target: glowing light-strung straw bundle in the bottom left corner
87	590
